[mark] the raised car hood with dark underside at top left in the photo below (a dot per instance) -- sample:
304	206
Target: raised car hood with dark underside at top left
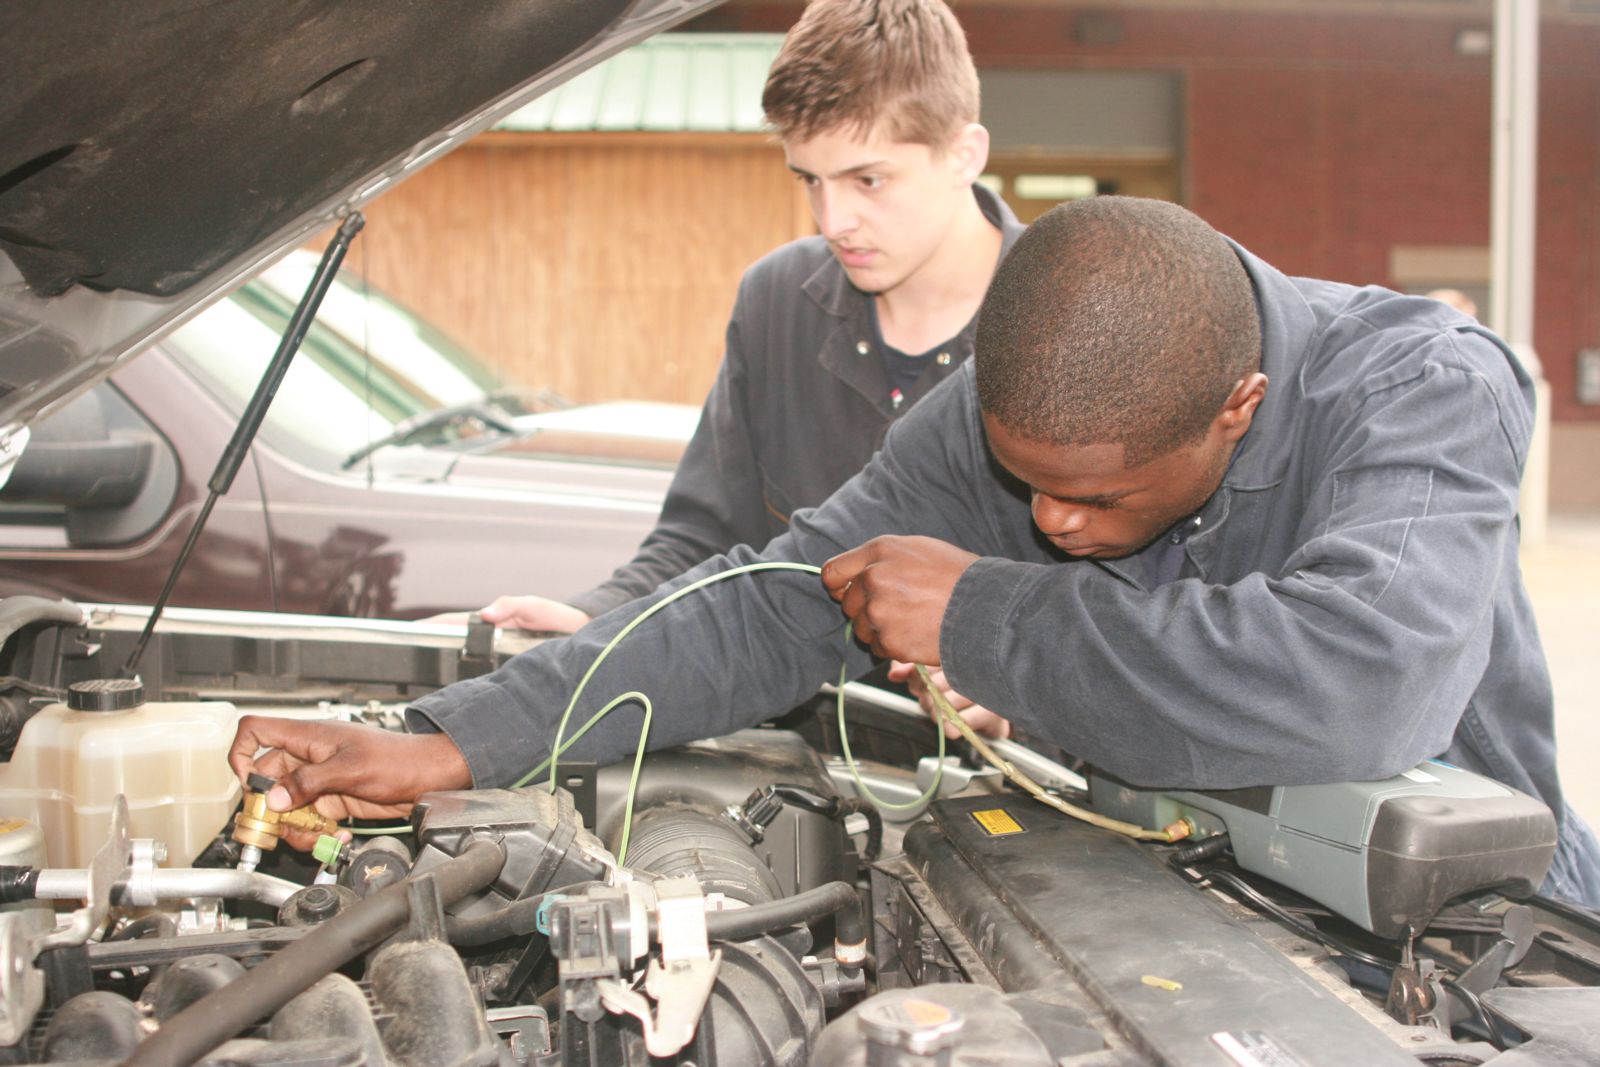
159	153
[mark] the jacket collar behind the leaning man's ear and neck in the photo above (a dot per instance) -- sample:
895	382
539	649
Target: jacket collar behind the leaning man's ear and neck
1289	327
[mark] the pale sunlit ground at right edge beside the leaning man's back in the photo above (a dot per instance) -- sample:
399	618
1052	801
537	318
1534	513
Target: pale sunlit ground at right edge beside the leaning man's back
1564	580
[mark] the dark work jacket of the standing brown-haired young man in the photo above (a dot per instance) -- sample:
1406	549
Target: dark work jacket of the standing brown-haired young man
799	406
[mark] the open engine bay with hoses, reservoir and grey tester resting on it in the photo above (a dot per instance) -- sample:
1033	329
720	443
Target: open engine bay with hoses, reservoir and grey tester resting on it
742	903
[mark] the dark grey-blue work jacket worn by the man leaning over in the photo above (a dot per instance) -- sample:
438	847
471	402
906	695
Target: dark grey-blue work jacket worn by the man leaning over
1351	604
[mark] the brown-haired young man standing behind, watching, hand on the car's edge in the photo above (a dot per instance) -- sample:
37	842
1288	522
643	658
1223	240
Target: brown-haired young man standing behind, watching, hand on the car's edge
833	337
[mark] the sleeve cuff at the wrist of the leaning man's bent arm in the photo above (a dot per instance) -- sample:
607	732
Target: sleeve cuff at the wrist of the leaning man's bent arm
972	634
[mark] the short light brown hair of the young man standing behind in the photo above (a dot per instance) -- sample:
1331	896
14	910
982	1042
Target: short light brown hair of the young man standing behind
900	66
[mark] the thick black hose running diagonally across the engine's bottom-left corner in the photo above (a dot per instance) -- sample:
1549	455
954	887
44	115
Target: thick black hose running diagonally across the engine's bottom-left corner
255	996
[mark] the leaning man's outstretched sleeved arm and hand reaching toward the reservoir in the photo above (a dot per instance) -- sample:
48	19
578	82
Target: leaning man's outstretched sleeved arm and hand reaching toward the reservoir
727	657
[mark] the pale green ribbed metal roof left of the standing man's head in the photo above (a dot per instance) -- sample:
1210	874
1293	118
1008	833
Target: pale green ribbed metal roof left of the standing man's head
673	82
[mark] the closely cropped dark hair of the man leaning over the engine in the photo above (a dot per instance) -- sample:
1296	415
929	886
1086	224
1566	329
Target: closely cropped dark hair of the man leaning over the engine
1116	321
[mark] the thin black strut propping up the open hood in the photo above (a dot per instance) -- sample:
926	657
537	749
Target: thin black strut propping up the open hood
239	447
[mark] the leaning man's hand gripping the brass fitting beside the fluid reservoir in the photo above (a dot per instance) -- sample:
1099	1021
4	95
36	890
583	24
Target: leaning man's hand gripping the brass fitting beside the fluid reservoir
345	770
